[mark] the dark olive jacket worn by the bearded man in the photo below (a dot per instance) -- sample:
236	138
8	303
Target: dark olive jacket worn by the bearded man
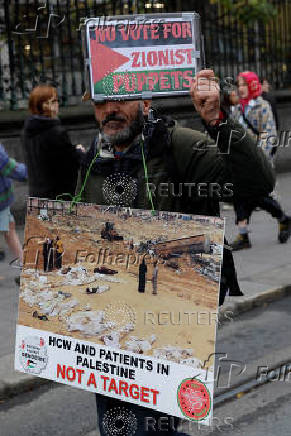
184	166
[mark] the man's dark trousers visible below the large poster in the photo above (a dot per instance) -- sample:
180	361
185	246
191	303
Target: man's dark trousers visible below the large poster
119	418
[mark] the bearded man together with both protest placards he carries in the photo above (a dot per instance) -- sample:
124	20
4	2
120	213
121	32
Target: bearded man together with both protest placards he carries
156	188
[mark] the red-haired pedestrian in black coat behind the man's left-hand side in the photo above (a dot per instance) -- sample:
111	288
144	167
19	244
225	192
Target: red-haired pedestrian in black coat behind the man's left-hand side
52	161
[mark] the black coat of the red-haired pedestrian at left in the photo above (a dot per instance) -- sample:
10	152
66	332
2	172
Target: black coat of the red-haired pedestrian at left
51	159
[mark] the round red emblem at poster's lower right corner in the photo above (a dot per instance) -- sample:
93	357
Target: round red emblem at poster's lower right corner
194	399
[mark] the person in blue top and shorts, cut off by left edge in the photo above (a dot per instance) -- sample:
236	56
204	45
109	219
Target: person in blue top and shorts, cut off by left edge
10	169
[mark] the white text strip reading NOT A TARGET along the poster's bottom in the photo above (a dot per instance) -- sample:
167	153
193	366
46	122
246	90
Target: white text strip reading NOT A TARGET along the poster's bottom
50	360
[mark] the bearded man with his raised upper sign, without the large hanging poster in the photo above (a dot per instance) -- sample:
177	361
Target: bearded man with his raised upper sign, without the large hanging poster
143	163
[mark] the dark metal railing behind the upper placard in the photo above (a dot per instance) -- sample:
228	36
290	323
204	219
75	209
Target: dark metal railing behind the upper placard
41	41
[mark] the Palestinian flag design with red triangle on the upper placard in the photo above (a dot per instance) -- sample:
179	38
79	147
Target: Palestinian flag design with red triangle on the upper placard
127	69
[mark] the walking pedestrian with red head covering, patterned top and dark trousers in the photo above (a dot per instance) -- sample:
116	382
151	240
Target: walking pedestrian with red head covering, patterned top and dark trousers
255	114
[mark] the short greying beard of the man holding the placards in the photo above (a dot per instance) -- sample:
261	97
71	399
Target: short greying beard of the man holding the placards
128	134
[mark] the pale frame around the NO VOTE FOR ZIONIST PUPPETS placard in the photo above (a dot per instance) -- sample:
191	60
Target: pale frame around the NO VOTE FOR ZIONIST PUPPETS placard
197	42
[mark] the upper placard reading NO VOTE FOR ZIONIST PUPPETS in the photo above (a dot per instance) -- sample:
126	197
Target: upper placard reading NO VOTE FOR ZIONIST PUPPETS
142	56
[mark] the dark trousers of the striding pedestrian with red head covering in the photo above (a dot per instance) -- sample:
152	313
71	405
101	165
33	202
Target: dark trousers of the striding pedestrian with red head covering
244	209
